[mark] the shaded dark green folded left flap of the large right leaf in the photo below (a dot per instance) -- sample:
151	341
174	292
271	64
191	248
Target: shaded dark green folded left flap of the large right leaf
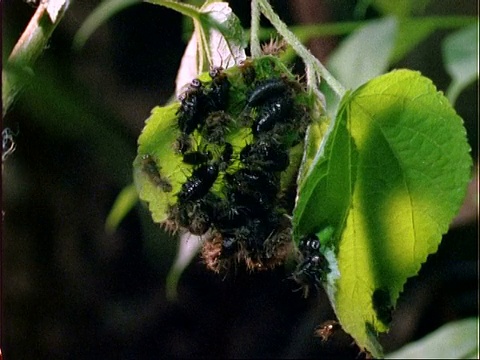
324	194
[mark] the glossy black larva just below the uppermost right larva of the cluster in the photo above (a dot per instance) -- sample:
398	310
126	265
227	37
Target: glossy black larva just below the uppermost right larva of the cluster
271	113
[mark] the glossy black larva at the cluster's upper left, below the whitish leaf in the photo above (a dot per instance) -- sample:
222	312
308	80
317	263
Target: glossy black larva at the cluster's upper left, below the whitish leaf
193	107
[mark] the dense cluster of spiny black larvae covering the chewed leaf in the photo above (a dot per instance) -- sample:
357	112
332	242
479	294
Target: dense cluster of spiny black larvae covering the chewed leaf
246	221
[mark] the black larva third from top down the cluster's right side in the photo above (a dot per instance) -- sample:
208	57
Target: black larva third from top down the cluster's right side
265	155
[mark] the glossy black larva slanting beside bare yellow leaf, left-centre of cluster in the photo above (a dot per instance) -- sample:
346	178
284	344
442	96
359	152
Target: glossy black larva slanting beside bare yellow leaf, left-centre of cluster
199	183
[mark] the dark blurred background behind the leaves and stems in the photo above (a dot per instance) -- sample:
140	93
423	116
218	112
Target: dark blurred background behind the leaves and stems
69	290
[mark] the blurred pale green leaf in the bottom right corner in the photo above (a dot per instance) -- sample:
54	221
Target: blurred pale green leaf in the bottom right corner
455	340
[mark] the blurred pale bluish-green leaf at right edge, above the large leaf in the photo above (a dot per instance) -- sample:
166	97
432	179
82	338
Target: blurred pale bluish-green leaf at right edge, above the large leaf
460	54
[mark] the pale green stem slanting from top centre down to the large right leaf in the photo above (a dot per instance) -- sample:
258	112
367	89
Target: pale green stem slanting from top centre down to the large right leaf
314	68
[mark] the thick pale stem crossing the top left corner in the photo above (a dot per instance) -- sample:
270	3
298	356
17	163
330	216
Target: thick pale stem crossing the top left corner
27	50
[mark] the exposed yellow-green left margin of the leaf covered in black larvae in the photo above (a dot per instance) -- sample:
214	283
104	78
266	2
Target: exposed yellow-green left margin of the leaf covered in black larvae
157	168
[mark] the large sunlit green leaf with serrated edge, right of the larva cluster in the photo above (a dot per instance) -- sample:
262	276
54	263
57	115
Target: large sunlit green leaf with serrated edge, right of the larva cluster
389	178
